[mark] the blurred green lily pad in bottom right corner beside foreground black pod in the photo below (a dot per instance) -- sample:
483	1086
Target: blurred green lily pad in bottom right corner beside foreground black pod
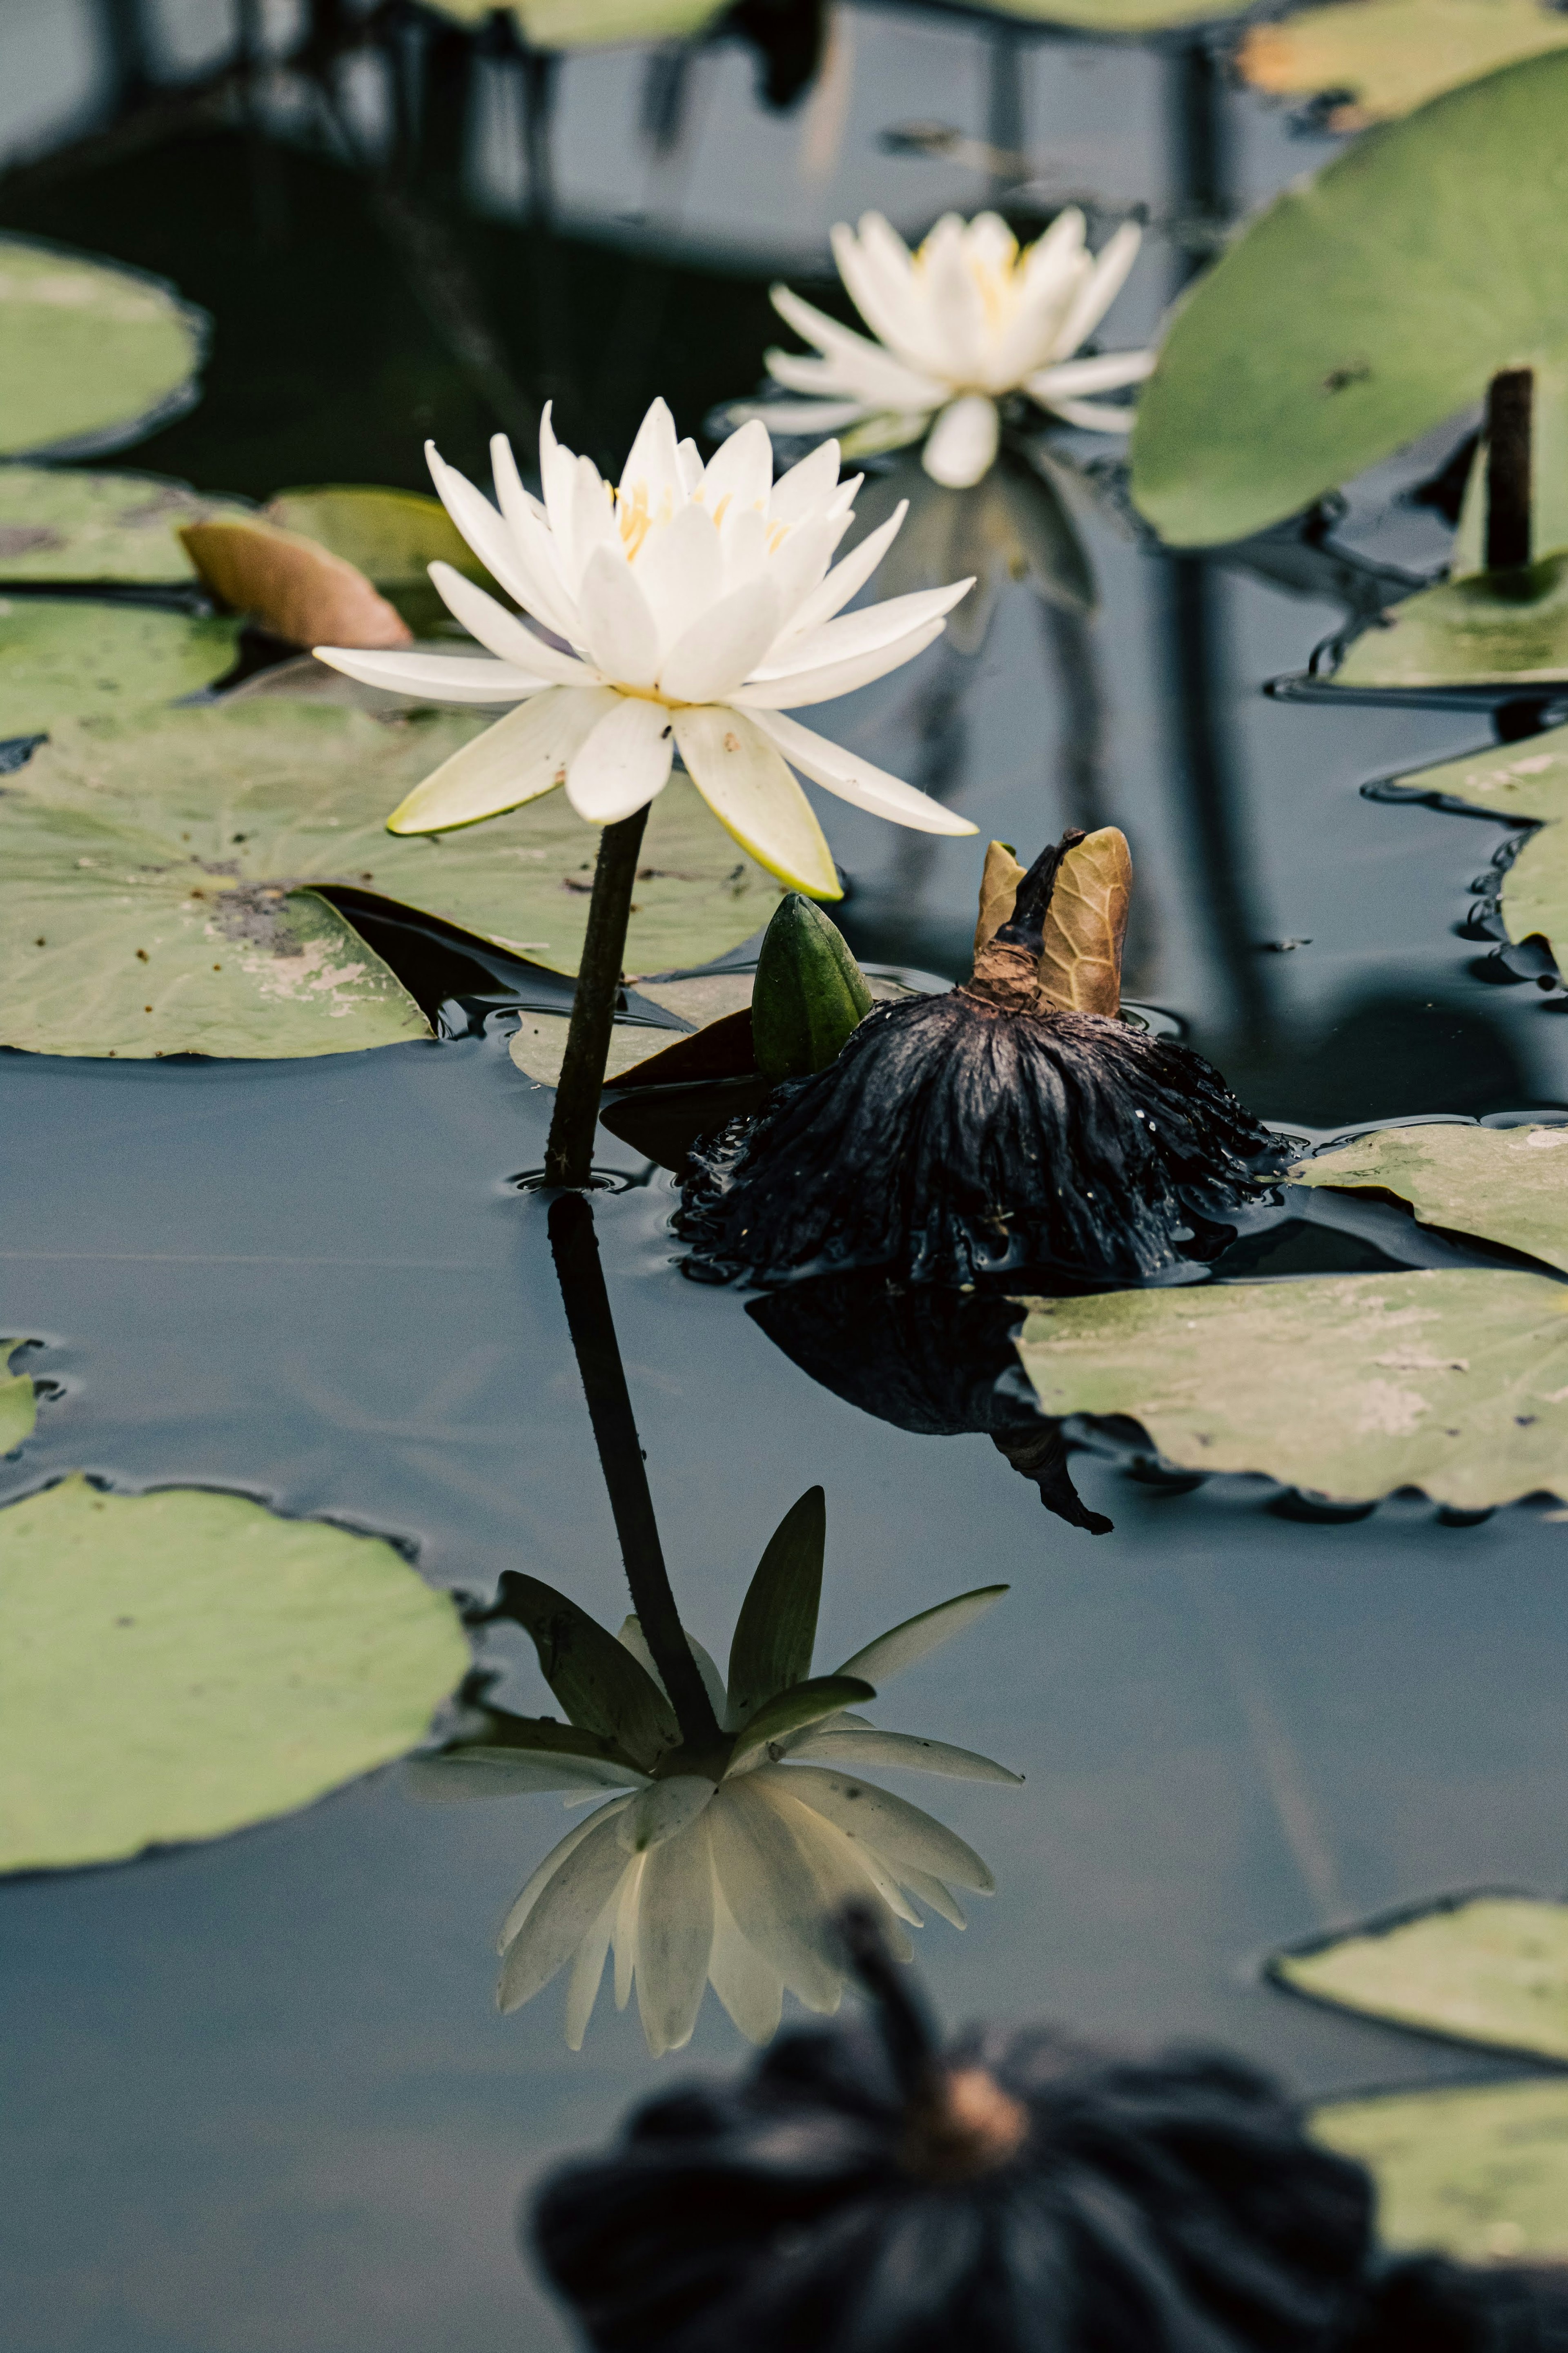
1477	2173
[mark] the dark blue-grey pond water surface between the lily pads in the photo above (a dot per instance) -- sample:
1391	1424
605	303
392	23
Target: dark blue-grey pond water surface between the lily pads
257	2093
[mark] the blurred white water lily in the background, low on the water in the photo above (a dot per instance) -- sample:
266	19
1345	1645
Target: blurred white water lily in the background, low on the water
960	324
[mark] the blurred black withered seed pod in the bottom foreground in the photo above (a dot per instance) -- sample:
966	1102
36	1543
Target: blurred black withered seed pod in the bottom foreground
1017	2194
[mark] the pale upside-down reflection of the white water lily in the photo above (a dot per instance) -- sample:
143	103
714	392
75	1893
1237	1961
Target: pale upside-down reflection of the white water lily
692	1881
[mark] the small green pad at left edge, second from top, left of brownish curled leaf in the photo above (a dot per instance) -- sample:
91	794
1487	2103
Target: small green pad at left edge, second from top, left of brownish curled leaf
98	528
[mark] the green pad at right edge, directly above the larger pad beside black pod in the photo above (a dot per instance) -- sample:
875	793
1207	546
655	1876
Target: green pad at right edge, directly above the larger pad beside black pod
1508	1185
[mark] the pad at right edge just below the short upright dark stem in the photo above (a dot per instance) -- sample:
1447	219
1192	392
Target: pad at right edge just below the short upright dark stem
1480	632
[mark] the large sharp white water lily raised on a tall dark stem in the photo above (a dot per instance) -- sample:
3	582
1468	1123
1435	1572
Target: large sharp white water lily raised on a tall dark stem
688	611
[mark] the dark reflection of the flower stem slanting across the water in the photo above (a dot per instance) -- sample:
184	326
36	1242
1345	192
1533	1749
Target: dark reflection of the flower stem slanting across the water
615	1432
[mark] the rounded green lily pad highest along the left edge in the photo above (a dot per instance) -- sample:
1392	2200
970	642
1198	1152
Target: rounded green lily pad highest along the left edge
93	356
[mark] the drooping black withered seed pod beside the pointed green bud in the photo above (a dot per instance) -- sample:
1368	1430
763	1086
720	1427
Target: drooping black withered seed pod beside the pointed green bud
984	1133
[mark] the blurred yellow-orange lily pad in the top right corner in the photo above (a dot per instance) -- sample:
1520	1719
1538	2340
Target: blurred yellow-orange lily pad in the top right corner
1383	58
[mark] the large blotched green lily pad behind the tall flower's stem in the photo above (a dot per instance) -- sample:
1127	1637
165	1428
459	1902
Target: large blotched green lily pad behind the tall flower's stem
159	881
